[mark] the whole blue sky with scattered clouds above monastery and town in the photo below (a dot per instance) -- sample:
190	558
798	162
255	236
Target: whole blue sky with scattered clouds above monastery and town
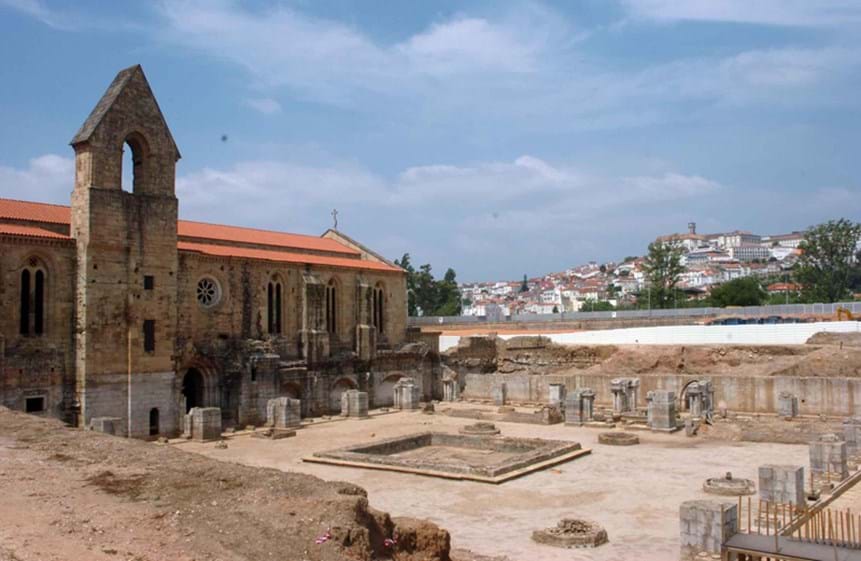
498	138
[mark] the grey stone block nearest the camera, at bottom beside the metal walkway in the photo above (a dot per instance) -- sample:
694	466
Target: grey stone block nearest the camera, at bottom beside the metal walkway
706	525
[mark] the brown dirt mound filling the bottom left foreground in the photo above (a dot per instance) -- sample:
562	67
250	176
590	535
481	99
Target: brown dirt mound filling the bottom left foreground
96	497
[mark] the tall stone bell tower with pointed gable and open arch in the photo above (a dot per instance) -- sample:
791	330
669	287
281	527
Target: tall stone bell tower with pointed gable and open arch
126	287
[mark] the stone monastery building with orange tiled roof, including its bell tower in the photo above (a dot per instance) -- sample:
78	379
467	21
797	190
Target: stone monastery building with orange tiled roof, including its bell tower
112	307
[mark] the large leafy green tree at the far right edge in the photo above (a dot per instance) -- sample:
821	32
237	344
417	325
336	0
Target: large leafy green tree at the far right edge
829	256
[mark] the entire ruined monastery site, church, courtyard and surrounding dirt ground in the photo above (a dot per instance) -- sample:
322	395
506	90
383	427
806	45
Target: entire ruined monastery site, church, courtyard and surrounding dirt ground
230	389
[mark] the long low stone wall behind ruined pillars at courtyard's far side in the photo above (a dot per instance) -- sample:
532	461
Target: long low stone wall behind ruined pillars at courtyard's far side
759	394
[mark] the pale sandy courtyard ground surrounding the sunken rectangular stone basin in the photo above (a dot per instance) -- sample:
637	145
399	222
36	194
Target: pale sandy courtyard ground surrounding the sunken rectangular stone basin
634	492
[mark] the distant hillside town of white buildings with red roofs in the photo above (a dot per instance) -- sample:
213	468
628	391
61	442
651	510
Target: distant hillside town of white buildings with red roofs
709	260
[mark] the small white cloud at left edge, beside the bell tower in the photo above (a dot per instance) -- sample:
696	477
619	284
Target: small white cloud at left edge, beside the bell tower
49	178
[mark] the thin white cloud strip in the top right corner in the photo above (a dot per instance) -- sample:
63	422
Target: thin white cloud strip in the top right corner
769	12
